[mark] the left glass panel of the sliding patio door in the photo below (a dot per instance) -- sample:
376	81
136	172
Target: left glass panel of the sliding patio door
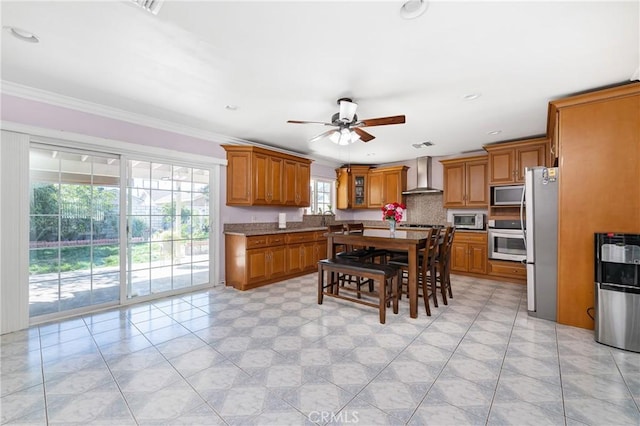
74	243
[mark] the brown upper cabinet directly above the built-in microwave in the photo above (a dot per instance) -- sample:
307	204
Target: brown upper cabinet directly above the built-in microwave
508	161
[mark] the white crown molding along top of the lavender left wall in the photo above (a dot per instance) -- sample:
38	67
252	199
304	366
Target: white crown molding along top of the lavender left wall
56	99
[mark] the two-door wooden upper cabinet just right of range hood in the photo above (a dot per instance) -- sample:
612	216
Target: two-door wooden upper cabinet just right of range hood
465	182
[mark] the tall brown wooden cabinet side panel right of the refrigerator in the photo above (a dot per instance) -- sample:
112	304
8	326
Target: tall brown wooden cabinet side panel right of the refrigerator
597	137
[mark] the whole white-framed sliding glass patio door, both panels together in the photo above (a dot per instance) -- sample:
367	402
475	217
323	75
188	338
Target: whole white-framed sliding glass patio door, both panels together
75	229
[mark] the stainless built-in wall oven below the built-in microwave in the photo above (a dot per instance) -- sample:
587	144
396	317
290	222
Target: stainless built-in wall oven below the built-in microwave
506	241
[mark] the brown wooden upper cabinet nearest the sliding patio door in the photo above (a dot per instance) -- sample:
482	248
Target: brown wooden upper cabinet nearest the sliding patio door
260	177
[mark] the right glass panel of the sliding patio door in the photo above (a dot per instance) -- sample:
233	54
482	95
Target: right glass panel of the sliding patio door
168	227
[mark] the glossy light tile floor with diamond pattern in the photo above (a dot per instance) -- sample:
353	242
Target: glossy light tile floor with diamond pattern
272	356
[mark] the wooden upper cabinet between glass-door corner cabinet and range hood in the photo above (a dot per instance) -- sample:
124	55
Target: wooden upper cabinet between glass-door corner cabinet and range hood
386	185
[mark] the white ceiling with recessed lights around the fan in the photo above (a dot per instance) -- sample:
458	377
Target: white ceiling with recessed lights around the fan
292	60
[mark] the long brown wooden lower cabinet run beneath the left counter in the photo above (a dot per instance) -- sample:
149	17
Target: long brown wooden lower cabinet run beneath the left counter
254	261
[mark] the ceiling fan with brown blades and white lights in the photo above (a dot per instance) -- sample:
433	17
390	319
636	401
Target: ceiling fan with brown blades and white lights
348	128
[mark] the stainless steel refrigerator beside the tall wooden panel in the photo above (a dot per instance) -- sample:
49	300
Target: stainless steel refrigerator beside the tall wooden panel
540	207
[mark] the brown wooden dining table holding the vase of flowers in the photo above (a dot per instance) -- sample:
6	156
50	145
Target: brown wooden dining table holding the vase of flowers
409	241
